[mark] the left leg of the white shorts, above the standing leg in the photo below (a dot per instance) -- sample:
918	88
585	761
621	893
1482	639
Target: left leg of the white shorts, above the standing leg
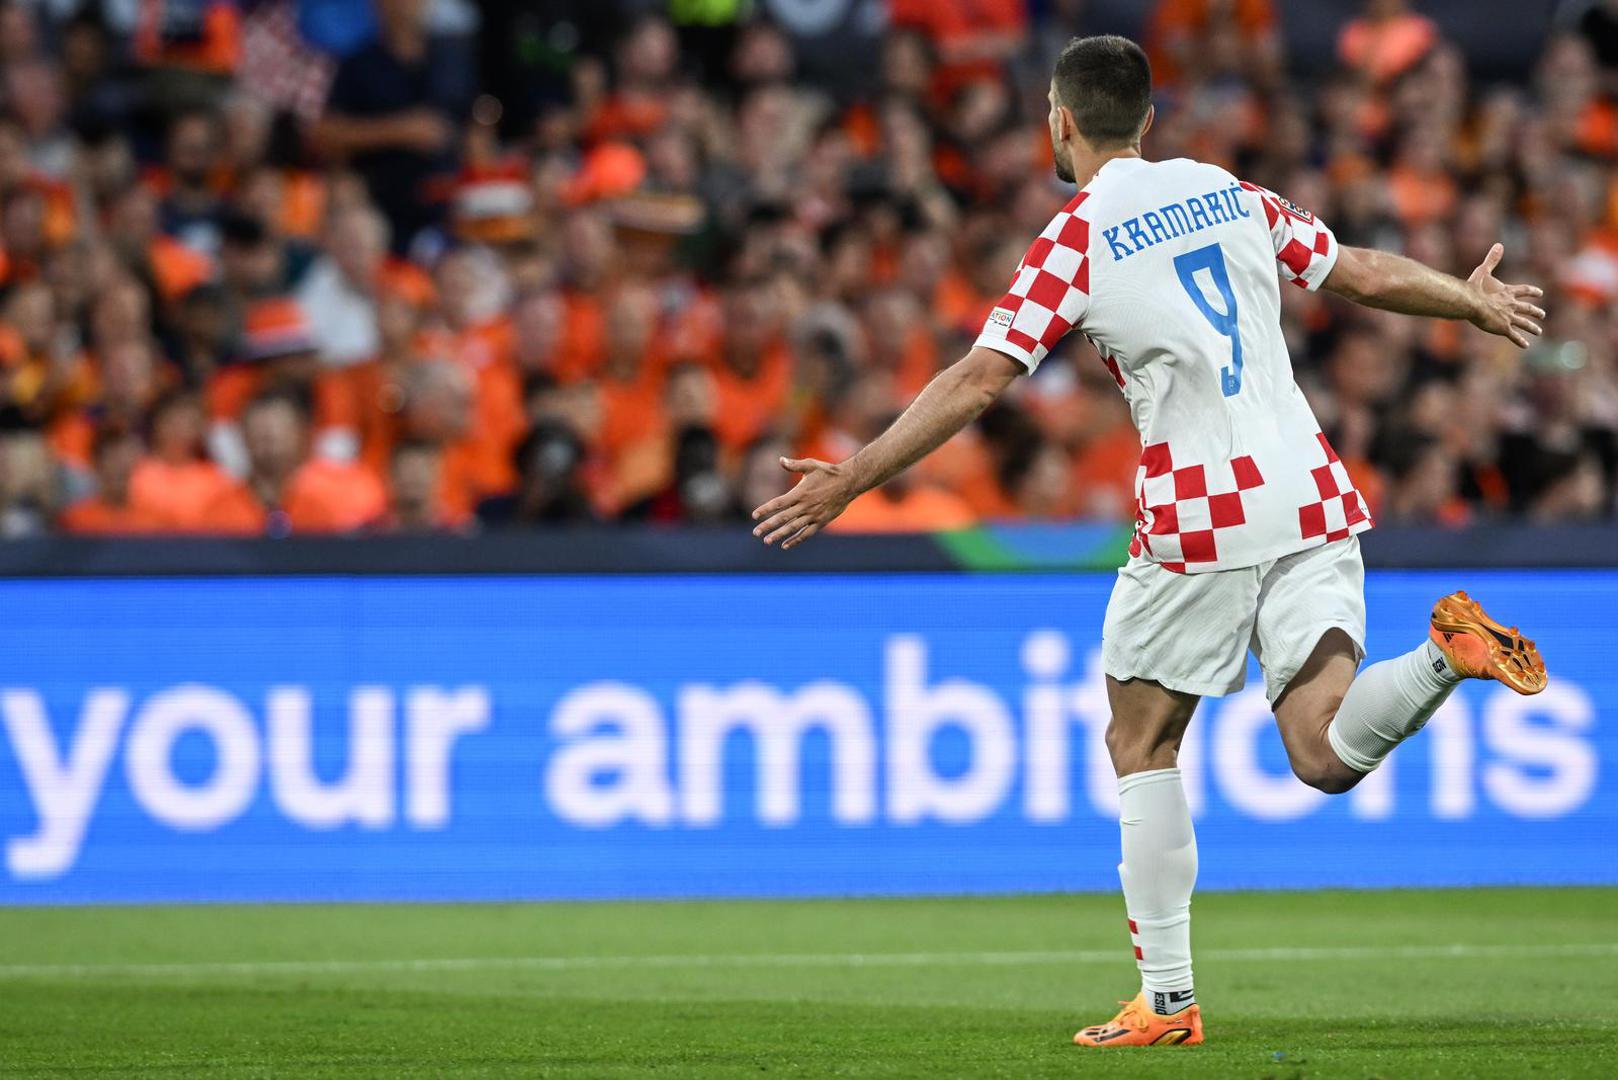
1185	632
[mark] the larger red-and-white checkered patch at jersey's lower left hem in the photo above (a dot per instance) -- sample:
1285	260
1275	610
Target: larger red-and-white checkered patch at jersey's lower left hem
1179	516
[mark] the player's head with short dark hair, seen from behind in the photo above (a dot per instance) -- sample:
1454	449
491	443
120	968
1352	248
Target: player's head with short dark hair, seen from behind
1106	82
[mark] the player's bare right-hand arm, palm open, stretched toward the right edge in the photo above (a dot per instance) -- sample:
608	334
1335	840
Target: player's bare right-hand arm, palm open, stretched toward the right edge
1379	279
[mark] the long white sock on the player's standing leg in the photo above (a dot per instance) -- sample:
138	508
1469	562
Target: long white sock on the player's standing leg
1158	872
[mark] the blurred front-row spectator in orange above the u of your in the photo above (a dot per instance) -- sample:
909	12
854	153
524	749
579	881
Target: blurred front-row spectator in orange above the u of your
286	490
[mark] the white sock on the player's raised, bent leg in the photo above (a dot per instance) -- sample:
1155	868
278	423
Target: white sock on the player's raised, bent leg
1387	704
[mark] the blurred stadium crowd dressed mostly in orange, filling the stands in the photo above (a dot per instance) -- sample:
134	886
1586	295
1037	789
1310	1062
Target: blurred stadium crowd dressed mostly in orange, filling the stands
252	286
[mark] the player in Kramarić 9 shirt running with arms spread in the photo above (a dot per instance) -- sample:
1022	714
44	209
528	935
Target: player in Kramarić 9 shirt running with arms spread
1245	519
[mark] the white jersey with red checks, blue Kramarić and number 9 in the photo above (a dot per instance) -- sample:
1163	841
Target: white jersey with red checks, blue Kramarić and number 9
1172	271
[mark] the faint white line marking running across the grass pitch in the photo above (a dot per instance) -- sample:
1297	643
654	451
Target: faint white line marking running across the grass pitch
802	959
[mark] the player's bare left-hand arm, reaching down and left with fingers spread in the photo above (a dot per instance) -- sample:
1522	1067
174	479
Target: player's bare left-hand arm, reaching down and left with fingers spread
951	402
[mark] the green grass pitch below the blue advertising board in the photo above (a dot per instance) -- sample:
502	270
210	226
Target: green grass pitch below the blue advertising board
1396	985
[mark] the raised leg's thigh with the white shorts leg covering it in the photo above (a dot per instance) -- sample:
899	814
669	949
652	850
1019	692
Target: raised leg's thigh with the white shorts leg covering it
1311	629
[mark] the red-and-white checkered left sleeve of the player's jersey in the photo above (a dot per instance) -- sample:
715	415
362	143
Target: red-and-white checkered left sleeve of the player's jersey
1049	292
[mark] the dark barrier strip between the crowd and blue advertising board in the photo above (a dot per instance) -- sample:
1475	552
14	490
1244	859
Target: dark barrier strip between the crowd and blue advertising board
612	550
